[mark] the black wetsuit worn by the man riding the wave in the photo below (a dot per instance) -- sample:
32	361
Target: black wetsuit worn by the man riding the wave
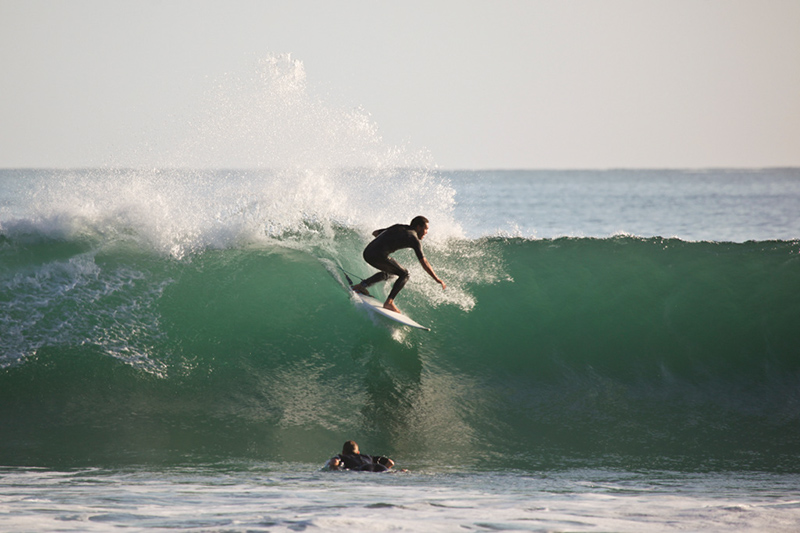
377	252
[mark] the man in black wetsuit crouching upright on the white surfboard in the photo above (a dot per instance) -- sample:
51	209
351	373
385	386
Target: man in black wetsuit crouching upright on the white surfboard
387	241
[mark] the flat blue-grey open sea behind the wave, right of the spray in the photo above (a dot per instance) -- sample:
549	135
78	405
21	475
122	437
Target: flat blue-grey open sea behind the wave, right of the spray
692	205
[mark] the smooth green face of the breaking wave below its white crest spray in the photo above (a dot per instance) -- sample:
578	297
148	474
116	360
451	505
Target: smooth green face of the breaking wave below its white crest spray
622	349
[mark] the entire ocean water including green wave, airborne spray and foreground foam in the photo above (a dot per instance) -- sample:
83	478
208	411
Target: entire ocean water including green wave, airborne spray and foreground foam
616	350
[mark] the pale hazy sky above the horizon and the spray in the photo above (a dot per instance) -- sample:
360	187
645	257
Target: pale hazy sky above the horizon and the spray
478	84
